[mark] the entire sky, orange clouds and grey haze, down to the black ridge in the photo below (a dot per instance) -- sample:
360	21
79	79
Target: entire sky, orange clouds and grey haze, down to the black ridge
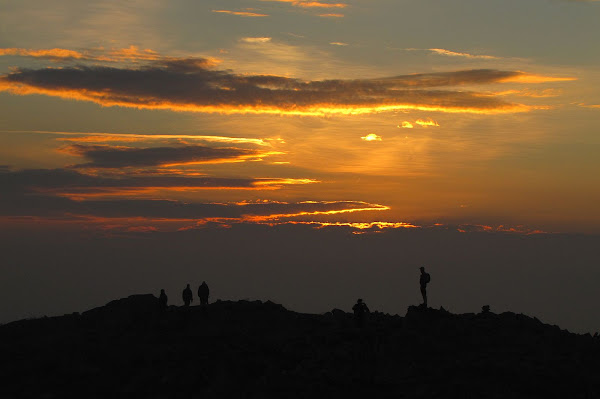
355	125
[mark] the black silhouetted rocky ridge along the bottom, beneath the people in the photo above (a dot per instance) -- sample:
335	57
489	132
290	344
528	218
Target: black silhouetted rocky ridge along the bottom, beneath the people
129	348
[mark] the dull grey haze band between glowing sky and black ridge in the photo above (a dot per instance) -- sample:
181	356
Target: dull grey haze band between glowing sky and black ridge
552	277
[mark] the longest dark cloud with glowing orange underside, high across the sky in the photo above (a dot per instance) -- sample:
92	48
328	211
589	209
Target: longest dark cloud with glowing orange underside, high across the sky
192	84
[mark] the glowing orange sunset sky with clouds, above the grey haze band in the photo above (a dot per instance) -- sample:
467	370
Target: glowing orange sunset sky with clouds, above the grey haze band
152	116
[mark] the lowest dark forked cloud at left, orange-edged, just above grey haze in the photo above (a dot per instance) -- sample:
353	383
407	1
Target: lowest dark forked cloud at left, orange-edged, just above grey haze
53	193
